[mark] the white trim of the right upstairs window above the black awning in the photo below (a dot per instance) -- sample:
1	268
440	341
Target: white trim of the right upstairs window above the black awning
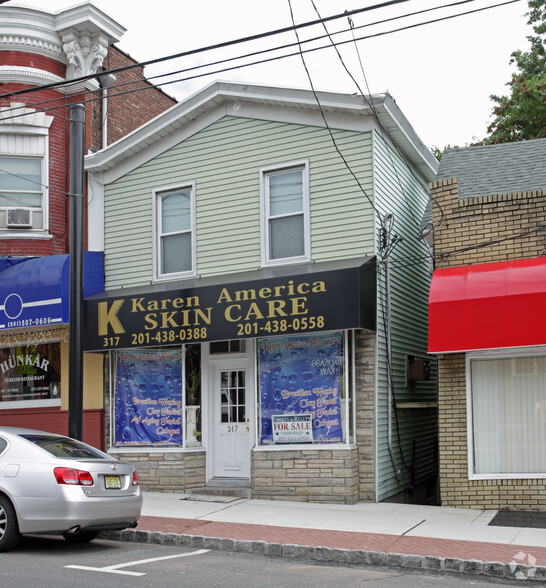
264	214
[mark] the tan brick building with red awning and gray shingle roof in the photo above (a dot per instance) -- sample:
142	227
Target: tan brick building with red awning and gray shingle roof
487	325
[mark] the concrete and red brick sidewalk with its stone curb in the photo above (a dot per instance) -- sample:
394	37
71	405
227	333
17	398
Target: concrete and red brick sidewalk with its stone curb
417	537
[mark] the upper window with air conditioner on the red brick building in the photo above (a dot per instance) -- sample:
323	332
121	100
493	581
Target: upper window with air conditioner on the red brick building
24	173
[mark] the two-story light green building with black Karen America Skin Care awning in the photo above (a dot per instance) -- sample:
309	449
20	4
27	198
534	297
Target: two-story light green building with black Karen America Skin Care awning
265	315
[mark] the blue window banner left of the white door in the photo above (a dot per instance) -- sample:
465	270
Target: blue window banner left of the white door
148	398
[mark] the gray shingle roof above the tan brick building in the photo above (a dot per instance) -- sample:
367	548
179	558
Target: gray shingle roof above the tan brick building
488	170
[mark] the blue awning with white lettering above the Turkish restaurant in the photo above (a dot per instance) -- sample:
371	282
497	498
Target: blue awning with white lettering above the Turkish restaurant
35	292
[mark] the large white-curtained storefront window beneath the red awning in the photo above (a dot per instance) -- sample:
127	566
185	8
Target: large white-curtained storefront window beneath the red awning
508	428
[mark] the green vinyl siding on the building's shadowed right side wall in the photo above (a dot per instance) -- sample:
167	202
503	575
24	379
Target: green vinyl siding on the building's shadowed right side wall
414	430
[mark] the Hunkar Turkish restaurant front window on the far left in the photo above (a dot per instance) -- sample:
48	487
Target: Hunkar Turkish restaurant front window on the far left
30	375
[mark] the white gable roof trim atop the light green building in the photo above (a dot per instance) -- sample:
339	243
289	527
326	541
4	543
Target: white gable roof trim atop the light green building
342	111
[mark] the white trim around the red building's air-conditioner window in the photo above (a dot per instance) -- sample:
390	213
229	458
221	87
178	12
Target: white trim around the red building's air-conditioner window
11	129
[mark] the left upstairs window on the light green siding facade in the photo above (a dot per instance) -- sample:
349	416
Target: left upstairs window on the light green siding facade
175	232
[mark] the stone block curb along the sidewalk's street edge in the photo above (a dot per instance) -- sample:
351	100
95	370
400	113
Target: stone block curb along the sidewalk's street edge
513	570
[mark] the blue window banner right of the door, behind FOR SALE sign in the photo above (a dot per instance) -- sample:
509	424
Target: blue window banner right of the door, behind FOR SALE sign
302	375
